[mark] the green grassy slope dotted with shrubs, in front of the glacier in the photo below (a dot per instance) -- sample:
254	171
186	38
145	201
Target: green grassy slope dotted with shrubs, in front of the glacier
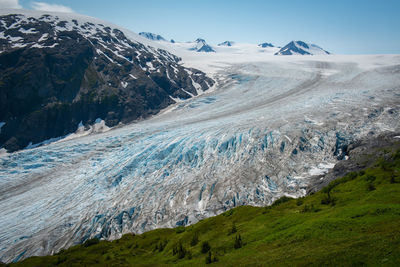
361	227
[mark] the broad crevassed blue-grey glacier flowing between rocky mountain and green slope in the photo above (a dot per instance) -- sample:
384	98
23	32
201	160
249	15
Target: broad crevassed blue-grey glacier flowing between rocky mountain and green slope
259	137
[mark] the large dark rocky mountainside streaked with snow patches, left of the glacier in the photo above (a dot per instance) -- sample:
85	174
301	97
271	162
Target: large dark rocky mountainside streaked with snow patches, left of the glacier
55	74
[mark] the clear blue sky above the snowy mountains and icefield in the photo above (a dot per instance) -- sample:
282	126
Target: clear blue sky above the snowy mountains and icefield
341	27
